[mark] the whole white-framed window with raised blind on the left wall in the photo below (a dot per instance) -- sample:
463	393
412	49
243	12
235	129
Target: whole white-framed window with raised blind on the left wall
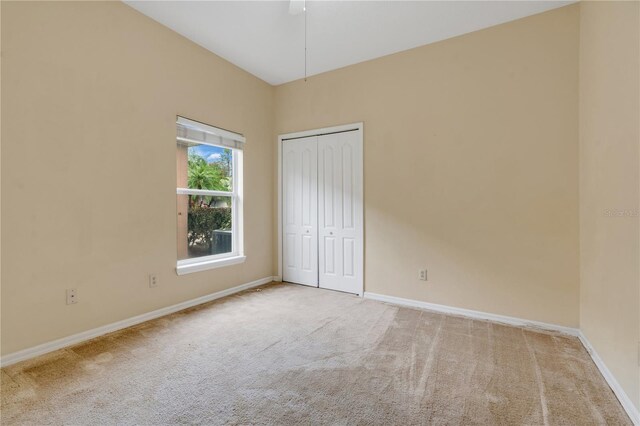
209	196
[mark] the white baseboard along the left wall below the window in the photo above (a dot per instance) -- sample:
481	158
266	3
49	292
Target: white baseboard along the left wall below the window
119	325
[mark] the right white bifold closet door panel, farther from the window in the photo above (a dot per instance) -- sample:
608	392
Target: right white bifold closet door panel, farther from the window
340	211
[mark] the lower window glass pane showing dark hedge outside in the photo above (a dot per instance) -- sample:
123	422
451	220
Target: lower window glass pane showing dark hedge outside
204	226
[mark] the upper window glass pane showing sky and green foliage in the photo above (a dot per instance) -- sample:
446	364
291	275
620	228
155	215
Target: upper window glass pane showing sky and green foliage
205	167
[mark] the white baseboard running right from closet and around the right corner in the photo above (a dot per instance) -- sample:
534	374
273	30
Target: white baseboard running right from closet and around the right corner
624	399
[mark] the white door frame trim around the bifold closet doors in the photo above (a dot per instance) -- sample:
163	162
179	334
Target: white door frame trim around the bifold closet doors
359	127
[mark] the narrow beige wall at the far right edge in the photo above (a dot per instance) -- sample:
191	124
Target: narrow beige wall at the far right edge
609	185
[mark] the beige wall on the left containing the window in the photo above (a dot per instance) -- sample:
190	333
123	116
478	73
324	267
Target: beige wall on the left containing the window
90	92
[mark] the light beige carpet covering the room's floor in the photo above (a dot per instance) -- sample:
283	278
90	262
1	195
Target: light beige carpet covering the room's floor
287	354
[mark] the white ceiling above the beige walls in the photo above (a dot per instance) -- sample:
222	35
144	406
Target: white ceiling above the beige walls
262	38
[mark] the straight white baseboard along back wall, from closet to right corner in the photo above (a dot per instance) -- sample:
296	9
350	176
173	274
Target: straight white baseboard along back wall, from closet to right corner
472	314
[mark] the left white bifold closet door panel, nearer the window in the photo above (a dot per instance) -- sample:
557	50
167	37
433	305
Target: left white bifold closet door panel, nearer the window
300	210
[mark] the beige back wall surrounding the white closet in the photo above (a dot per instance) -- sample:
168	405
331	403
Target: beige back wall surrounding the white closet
471	165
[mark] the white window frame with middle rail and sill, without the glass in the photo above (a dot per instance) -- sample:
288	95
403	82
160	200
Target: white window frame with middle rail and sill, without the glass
184	266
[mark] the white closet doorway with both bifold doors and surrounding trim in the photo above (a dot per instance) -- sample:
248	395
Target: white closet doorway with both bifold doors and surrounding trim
320	200
